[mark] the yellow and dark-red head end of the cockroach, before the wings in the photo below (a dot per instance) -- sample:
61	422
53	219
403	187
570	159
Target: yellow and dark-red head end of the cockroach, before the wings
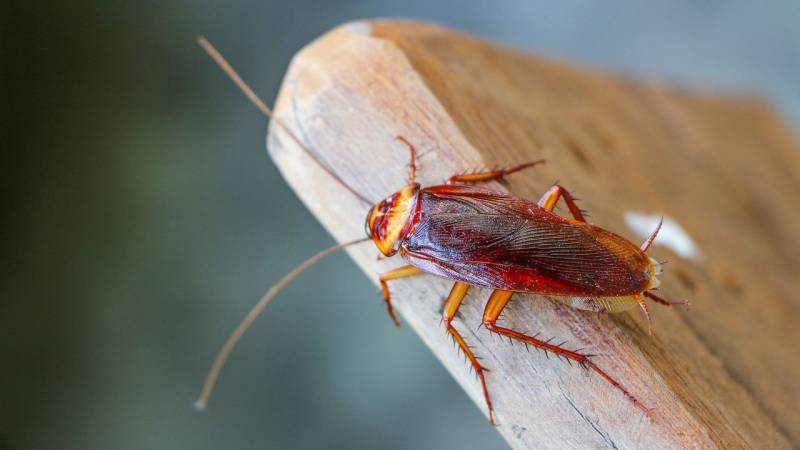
390	219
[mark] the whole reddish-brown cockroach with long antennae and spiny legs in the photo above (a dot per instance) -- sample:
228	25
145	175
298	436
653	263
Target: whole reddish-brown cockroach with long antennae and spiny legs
476	236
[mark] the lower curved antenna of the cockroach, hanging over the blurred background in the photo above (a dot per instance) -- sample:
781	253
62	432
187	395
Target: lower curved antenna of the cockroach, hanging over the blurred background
251	316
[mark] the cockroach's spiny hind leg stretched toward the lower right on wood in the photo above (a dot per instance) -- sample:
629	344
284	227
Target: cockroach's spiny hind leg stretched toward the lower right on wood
494	307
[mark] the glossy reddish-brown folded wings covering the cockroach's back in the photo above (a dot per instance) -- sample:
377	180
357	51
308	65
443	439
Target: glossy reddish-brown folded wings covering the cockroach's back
493	239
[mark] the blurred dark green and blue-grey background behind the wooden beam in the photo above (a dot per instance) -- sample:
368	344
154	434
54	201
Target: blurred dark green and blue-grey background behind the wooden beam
142	217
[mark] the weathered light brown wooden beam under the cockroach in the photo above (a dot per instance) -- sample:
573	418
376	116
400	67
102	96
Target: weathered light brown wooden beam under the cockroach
723	374
